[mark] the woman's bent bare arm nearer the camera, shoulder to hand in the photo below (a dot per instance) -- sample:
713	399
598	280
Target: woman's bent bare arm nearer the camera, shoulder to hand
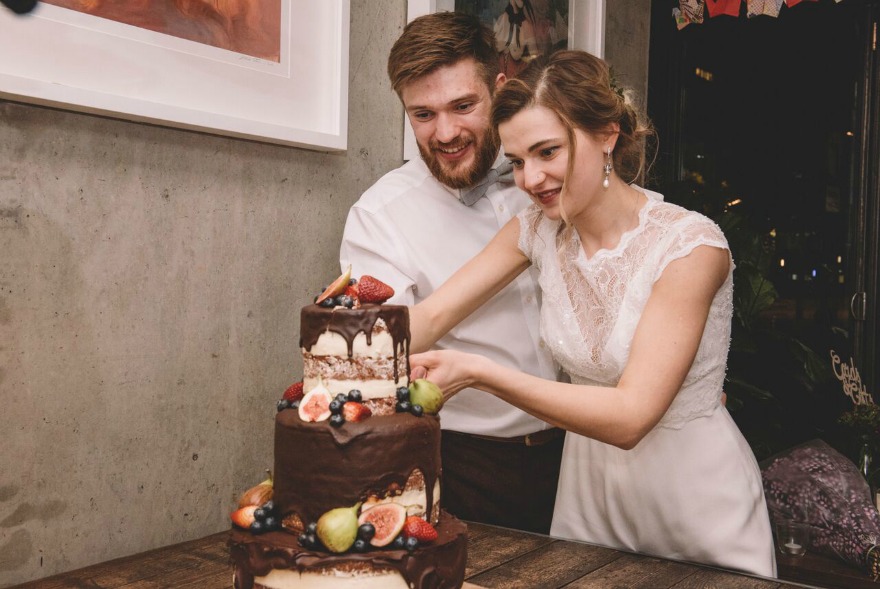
663	349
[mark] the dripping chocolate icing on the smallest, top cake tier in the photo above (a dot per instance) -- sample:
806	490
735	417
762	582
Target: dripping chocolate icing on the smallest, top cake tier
315	320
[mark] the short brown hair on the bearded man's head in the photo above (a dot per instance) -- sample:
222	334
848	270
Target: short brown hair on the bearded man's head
438	40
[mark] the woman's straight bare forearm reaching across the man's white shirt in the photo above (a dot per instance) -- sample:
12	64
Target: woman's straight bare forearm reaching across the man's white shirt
465	291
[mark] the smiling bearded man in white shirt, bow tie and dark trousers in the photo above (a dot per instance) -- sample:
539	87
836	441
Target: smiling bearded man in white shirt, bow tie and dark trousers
419	223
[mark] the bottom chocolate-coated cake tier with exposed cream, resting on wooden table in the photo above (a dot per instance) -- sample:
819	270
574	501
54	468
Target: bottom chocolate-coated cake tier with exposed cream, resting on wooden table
275	560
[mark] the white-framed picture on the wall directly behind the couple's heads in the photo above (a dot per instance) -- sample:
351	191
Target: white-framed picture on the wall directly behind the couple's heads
523	29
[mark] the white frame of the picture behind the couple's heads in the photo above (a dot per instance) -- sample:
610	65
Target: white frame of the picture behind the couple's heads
586	31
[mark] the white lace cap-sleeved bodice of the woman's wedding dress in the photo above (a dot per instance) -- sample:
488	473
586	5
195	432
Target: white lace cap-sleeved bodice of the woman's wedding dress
591	306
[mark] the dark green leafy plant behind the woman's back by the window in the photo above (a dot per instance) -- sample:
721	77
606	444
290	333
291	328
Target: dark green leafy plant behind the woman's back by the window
778	387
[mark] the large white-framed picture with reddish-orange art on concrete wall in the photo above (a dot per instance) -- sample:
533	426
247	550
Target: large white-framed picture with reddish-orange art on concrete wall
266	70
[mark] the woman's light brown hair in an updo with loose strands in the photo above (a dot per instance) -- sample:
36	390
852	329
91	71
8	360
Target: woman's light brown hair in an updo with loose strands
578	87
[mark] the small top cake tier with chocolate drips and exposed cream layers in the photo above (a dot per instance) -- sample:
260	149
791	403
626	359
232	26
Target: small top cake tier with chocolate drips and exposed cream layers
364	349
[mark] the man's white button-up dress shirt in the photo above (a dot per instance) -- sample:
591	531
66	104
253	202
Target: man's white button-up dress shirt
411	232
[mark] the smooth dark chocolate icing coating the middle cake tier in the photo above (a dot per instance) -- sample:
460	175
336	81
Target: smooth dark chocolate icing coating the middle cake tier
319	467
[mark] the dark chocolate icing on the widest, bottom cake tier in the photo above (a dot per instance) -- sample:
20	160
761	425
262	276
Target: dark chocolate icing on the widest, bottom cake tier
439	565
